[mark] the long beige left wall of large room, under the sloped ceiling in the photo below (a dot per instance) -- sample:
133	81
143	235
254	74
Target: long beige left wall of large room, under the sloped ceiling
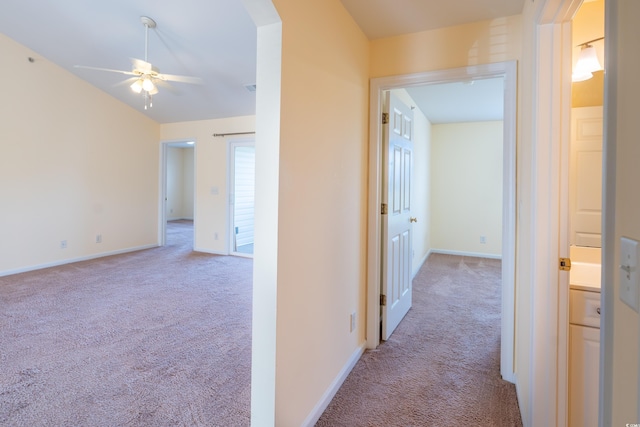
75	163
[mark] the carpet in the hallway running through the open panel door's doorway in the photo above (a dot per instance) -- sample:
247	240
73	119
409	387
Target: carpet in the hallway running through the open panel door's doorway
441	367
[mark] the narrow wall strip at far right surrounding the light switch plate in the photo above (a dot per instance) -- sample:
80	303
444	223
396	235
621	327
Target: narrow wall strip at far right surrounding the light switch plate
622	138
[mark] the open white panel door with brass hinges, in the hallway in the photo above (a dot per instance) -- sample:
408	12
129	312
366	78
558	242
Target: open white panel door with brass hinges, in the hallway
396	222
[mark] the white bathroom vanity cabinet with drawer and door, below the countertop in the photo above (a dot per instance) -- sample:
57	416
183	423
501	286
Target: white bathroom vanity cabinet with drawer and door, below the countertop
584	357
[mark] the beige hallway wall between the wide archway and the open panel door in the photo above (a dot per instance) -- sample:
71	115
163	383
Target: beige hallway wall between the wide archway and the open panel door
322	201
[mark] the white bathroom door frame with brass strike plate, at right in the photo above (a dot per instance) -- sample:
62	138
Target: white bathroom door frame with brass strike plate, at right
550	208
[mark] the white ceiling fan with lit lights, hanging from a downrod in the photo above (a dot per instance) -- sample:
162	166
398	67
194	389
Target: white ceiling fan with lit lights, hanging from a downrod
146	78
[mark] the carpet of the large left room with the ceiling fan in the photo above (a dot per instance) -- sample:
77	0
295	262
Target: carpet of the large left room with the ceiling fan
152	338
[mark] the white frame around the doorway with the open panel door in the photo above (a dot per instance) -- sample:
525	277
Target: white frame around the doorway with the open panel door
507	70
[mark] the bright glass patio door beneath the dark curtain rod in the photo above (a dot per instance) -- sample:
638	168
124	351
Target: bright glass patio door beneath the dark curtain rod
242	165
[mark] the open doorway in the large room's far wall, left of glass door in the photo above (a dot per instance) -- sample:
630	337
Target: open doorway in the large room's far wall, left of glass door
177	202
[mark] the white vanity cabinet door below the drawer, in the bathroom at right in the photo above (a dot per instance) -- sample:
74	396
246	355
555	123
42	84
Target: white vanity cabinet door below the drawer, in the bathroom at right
584	354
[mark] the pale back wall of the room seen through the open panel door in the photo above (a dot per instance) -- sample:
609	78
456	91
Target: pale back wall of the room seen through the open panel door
466	176
